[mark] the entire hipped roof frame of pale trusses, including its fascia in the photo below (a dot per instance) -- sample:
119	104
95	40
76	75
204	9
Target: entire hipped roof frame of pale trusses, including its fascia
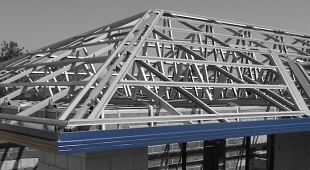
154	78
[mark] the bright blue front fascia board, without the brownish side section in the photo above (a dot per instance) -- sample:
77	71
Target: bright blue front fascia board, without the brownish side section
89	141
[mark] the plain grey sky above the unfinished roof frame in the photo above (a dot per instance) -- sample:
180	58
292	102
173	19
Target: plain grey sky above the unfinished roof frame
37	23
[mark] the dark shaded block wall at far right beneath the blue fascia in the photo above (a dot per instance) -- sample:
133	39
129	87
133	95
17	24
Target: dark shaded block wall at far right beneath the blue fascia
292	151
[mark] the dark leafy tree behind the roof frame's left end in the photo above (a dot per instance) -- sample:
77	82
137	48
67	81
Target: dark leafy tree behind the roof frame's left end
8	51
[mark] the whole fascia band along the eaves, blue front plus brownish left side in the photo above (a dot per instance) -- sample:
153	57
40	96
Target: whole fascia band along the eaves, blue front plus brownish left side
90	141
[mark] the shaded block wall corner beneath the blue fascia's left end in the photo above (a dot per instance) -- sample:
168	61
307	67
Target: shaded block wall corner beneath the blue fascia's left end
121	159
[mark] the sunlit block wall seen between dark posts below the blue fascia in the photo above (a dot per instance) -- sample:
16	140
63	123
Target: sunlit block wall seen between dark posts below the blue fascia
234	149
